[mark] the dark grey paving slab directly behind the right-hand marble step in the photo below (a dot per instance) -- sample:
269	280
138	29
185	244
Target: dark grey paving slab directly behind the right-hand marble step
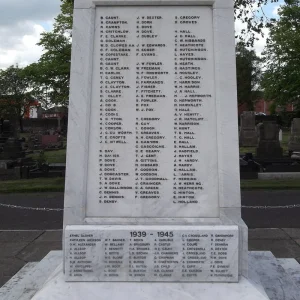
279	248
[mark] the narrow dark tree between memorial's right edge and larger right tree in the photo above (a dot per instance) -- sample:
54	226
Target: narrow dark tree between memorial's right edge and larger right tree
248	75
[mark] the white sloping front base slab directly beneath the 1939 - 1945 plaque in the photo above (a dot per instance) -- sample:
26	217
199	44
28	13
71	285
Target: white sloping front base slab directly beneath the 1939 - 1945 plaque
58	289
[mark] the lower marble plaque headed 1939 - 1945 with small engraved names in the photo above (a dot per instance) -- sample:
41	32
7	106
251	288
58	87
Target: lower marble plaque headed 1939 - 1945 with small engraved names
151	253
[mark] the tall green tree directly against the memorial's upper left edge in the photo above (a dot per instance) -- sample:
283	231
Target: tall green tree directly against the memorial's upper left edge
50	76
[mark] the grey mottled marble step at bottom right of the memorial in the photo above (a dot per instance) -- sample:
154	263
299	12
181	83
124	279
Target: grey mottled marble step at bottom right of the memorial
278	283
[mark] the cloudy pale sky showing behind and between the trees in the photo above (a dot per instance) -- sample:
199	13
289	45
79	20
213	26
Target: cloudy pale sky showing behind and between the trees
22	22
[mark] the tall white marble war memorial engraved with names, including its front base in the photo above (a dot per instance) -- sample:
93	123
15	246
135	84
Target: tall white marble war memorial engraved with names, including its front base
152	198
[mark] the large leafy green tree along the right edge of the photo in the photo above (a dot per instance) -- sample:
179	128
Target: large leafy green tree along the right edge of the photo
281	81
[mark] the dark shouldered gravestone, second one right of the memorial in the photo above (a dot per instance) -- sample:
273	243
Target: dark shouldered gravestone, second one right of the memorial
269	145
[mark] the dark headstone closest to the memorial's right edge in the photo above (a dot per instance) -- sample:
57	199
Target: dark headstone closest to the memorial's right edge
248	134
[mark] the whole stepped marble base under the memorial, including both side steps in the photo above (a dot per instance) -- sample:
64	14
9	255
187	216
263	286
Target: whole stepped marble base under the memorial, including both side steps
269	278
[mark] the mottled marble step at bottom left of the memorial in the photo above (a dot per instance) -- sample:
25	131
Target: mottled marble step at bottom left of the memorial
30	279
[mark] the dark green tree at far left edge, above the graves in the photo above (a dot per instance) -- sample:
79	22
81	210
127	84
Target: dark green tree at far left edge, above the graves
15	97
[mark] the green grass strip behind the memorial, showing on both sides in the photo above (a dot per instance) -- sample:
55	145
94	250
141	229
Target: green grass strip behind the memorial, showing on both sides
57	185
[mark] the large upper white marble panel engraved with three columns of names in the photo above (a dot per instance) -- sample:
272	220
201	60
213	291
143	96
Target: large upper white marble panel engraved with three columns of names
149	163
